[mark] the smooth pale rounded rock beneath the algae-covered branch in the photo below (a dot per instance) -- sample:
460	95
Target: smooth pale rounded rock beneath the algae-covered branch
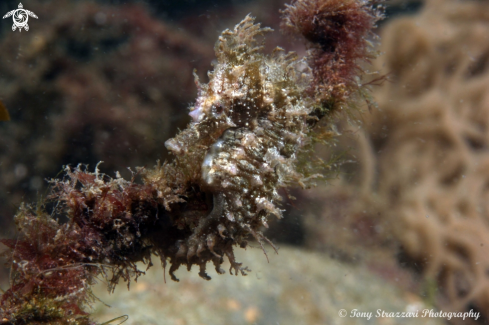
310	289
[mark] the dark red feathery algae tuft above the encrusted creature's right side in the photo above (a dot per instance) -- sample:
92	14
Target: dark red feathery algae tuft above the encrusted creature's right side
339	35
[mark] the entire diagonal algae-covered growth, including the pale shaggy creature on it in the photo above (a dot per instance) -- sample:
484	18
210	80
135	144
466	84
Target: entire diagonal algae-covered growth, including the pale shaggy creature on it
254	127
